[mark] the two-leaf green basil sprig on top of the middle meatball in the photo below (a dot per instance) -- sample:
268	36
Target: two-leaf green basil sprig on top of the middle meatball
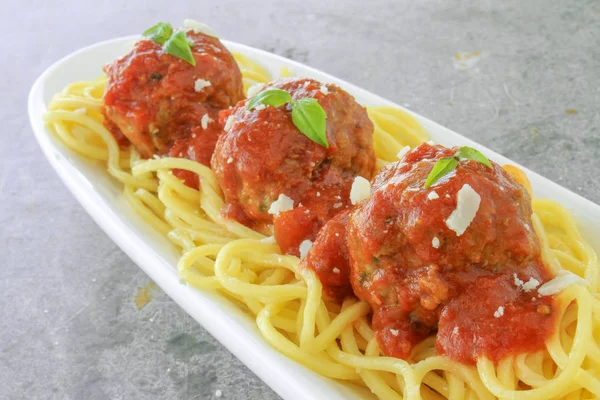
307	114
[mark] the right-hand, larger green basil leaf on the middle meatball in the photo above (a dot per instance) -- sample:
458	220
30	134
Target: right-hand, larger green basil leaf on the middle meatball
310	118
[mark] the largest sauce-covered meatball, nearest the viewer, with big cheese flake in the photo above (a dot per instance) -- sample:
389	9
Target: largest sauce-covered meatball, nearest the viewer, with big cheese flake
460	258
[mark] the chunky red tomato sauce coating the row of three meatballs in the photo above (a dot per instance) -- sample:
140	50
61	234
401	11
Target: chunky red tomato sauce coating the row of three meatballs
465	290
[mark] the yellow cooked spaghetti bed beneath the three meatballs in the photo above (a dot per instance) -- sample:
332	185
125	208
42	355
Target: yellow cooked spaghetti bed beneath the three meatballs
336	340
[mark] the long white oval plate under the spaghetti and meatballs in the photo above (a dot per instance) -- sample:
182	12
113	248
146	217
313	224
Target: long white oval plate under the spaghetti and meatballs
101	196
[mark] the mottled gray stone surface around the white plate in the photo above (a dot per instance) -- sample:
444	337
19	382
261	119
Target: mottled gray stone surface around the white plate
69	327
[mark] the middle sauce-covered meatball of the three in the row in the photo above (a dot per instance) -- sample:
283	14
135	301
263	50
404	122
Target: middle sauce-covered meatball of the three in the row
263	157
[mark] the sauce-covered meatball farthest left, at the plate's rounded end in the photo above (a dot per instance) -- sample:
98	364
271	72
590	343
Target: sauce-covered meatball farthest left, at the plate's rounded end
154	98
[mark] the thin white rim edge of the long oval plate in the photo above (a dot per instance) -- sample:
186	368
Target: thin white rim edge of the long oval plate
279	381
